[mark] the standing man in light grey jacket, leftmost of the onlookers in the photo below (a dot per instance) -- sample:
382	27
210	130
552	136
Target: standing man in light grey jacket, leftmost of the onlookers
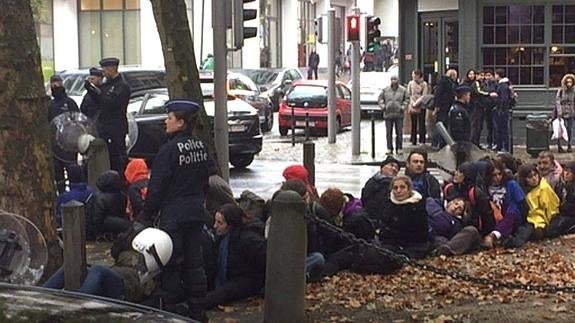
393	100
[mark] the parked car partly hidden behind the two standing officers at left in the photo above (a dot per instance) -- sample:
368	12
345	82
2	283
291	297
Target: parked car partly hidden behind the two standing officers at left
139	78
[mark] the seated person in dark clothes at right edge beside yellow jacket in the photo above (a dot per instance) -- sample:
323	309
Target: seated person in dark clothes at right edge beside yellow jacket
564	222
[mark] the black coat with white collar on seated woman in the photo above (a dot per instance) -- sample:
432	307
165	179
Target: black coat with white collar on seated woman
404	223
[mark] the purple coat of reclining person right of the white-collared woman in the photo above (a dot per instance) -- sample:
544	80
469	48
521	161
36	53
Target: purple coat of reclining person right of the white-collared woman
440	221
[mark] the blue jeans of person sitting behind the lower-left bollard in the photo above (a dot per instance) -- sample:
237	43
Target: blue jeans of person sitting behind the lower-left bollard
100	281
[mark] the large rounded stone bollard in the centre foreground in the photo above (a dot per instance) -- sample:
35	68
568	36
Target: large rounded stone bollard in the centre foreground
285	269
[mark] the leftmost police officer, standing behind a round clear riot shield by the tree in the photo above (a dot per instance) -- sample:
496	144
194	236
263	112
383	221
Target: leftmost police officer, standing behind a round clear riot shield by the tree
60	103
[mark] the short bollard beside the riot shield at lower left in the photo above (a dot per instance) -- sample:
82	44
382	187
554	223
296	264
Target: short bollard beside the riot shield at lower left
74	226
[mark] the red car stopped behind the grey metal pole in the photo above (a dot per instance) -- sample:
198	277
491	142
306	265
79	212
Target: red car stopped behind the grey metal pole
310	97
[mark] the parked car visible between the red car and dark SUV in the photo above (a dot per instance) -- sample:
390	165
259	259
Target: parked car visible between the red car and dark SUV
273	83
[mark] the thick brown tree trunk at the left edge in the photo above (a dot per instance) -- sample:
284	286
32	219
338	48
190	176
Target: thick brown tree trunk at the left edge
26	171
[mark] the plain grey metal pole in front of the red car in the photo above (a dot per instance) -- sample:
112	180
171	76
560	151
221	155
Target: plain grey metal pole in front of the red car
331	48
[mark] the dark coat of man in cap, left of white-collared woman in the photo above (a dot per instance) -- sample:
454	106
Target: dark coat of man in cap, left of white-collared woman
374	193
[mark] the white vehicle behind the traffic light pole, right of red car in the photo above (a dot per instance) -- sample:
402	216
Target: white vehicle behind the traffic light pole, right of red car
370	86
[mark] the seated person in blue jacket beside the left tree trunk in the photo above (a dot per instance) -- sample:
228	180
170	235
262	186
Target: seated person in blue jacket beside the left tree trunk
79	190
